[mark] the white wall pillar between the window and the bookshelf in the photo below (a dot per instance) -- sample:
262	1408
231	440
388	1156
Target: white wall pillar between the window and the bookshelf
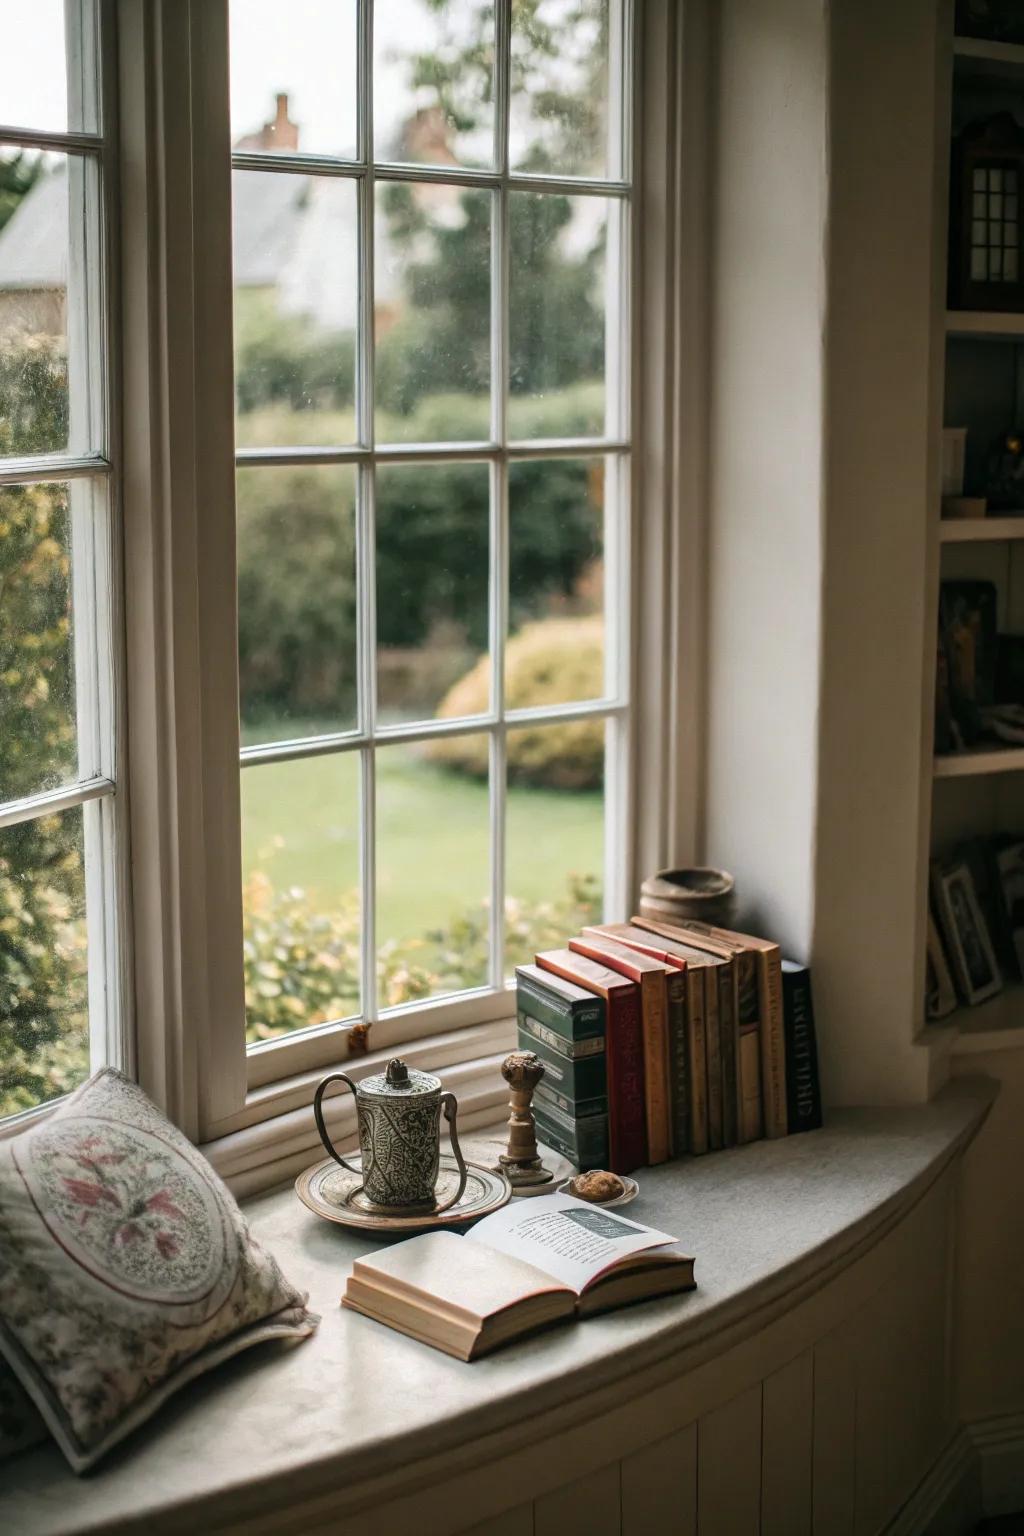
821	451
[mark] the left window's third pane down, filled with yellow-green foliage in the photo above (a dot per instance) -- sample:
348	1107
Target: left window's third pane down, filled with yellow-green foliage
38	678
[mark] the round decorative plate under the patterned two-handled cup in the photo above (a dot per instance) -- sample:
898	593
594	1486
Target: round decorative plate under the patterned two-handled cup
334	1193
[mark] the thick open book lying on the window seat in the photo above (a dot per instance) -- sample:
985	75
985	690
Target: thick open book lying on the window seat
533	1263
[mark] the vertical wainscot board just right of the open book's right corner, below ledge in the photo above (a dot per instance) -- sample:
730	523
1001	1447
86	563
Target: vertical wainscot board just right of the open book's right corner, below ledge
730	1468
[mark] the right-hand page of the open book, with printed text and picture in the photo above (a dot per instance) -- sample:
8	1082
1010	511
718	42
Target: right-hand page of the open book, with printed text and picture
567	1239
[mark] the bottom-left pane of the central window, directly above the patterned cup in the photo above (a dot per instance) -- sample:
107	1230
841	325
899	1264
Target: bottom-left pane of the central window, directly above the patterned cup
302	893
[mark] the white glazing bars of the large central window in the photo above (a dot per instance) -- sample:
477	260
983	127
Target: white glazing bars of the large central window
366	171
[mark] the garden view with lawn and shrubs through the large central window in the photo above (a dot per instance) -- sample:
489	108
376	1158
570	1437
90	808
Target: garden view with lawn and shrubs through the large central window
431	251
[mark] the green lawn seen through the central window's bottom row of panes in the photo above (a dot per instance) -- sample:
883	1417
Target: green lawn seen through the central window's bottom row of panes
300	829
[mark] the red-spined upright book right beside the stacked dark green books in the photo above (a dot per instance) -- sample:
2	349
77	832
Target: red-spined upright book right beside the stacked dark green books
624	1051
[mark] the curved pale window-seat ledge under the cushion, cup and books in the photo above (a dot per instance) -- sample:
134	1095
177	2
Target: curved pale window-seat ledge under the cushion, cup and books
363	1415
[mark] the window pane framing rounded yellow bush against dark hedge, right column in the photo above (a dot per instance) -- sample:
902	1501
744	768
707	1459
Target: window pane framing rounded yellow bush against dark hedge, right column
557	543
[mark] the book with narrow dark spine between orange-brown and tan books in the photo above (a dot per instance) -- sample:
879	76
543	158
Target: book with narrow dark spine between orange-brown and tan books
687	1039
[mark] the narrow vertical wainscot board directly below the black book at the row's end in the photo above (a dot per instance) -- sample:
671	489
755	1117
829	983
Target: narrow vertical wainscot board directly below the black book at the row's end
787	1449
